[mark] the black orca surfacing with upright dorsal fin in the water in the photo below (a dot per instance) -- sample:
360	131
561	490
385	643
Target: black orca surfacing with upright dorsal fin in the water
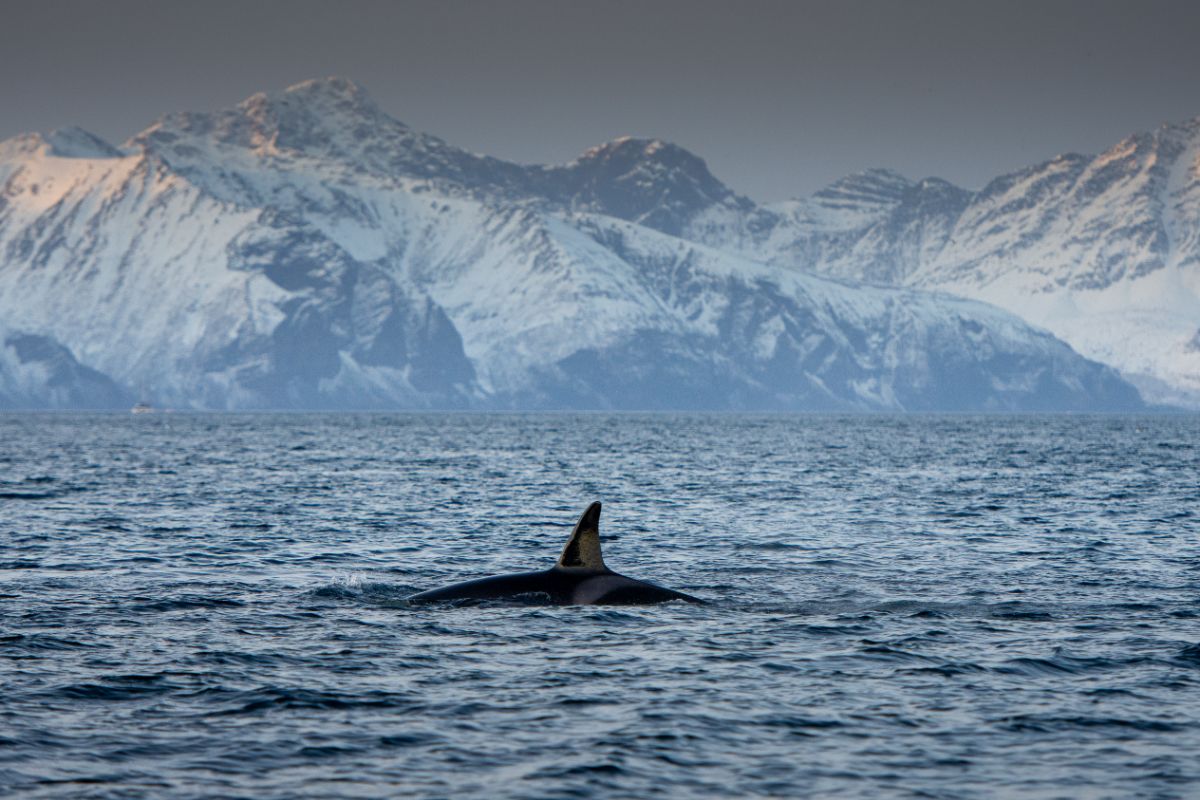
579	579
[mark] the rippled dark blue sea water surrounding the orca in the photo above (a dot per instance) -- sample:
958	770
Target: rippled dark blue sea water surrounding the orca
901	607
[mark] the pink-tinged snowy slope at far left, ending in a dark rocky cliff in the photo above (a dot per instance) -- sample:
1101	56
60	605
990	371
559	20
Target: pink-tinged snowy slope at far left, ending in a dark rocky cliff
200	302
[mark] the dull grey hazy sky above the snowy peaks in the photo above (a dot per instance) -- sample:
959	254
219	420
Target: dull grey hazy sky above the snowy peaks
779	98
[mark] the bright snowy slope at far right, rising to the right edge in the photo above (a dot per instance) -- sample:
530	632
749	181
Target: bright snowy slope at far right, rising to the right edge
1103	251
